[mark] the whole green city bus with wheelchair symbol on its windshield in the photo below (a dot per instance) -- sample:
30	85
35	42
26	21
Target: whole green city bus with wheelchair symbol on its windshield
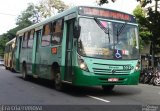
83	46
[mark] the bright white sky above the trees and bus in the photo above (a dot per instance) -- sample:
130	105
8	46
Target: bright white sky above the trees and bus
10	9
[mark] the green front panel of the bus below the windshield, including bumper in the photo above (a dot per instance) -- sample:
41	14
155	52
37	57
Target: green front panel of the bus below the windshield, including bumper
100	71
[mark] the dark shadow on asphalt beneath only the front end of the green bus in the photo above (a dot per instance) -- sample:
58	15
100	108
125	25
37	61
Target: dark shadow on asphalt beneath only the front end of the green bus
97	91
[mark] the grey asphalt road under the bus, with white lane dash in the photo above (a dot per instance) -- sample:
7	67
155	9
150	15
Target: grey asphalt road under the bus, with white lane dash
14	90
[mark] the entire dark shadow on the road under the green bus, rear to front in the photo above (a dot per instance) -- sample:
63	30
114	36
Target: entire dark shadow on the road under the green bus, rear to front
83	91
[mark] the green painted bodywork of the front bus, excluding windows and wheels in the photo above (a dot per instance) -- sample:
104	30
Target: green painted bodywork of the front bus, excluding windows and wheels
40	59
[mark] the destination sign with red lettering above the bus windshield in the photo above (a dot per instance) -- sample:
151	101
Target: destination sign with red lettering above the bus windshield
105	13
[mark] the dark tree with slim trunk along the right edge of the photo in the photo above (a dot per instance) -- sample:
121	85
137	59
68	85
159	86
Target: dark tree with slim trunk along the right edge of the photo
153	16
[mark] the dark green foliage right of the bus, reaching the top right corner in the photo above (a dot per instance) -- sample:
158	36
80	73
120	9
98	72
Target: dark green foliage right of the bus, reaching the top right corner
150	26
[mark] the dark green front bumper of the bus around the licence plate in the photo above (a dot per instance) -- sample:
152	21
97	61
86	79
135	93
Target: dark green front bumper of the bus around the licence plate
84	78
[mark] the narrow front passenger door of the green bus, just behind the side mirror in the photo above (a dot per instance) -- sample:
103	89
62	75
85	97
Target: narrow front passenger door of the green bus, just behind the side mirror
69	46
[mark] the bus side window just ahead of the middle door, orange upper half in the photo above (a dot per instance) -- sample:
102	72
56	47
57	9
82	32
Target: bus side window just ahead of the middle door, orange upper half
46	35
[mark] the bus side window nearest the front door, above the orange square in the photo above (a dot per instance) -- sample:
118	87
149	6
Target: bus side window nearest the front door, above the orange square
57	32
